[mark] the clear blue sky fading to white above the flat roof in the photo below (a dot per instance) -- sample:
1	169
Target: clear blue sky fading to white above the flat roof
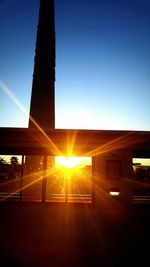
102	63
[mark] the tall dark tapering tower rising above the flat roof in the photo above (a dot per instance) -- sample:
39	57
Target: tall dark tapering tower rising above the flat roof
42	107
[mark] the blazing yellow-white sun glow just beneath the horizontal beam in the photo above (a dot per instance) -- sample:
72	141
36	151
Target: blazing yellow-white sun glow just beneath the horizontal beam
71	162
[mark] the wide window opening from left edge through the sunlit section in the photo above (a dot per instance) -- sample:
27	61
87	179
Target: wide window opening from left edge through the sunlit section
46	178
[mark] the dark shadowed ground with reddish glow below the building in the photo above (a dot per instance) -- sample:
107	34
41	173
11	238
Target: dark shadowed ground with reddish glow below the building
74	235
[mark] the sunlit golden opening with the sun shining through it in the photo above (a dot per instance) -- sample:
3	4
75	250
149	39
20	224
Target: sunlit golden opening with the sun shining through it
70	179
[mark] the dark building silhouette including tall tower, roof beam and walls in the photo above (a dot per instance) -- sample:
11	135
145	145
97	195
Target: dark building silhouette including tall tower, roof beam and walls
111	151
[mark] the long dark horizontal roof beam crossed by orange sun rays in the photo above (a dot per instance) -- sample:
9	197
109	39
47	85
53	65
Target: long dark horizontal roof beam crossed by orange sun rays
59	141
